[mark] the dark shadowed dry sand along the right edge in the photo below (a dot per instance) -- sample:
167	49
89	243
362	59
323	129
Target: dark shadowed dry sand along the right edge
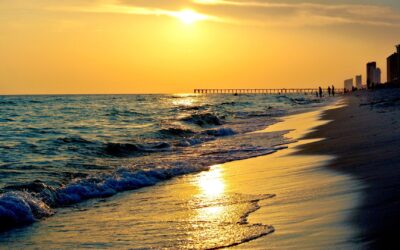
369	145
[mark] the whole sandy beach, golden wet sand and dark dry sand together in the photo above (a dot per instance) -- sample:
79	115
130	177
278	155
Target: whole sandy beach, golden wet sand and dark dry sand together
334	187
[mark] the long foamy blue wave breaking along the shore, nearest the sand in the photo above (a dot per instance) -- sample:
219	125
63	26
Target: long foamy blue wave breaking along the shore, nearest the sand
24	204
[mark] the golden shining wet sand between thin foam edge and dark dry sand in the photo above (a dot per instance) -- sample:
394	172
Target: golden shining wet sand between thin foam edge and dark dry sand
313	204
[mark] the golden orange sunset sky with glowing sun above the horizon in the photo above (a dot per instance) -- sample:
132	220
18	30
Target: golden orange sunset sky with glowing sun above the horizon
174	46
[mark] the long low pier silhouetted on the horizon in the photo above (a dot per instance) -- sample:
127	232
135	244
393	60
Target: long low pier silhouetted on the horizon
262	91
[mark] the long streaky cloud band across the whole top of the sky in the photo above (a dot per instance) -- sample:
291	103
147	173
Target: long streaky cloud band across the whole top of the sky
253	12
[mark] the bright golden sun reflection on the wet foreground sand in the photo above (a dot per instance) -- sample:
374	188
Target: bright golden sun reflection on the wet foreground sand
219	216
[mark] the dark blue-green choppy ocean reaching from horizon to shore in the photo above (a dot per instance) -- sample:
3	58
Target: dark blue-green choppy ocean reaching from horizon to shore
57	151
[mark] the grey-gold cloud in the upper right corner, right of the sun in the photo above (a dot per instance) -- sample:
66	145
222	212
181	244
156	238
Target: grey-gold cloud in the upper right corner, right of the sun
307	14
